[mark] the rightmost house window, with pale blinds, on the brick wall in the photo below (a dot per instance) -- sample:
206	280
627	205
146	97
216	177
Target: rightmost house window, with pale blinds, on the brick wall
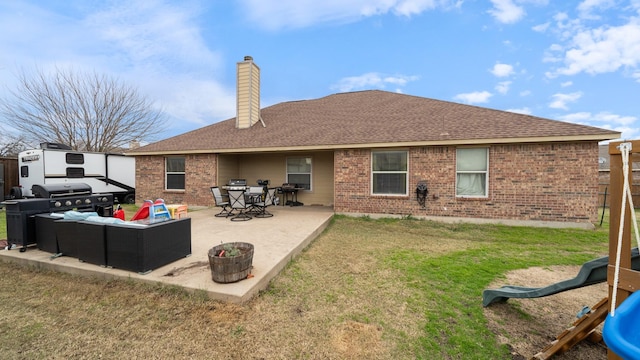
472	172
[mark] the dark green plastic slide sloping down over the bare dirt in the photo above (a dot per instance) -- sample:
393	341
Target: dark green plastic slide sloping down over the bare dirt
592	272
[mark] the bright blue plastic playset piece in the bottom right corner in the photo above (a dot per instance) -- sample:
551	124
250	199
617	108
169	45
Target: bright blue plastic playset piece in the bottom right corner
622	332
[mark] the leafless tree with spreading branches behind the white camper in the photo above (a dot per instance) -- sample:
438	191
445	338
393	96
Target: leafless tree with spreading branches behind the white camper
87	111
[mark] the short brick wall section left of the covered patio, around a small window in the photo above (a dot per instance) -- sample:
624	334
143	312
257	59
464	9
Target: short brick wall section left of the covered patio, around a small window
199	177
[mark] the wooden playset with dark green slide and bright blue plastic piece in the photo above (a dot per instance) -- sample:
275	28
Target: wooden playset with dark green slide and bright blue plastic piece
622	329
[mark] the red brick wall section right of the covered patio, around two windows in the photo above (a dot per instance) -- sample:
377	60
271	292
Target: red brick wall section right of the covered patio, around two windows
543	182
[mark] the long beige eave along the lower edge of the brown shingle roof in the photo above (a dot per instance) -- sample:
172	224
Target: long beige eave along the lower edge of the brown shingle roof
443	142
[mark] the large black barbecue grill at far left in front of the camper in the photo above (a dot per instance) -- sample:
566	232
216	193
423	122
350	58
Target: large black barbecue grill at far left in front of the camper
48	199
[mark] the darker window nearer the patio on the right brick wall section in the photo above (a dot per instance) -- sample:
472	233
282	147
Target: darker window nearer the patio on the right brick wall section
389	170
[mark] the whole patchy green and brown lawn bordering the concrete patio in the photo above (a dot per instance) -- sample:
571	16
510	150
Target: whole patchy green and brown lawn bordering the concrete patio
416	283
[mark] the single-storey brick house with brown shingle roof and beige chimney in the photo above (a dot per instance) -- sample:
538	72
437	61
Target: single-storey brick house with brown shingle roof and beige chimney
365	153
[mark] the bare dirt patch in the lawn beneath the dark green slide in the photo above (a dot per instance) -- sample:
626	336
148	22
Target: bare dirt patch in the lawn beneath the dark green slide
529	325
